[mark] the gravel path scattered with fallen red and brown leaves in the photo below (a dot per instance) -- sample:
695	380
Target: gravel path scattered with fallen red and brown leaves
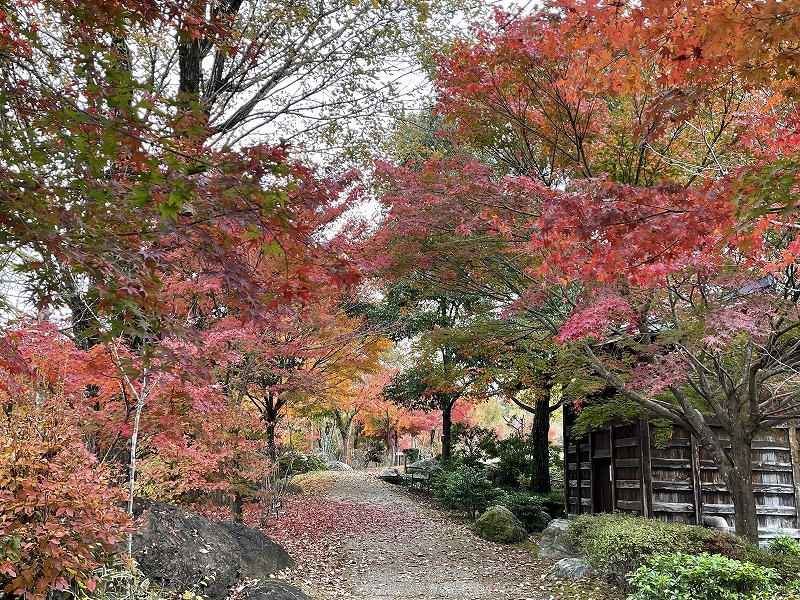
356	537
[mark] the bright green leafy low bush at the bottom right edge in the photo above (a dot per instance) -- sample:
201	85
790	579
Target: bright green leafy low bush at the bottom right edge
704	577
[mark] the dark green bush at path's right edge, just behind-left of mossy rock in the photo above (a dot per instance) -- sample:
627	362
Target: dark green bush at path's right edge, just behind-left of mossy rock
464	487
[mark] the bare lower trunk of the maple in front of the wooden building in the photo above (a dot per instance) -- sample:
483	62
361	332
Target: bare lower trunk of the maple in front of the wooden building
739	480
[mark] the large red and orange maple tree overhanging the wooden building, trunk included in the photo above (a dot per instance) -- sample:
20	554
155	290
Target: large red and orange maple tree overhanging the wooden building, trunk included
661	249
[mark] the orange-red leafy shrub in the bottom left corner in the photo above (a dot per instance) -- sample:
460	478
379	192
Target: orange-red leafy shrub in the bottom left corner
59	513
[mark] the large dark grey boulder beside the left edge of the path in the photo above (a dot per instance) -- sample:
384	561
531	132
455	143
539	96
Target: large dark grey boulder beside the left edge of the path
182	551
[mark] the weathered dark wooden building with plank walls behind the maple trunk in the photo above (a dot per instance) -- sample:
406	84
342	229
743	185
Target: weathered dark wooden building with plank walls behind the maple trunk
620	468
